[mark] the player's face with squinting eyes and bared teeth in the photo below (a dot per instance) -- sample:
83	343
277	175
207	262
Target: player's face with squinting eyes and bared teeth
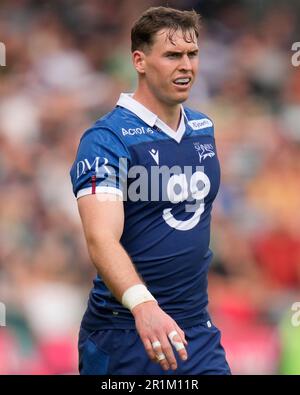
170	67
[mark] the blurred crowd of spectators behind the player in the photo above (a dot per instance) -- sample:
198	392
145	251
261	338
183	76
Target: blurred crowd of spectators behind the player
66	63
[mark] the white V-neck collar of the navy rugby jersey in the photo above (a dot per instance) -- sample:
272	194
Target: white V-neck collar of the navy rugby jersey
127	101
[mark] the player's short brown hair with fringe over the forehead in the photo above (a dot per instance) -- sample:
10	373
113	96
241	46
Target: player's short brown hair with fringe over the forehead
158	18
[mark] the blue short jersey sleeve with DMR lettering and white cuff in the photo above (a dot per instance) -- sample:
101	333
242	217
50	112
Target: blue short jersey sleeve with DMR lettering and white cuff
101	164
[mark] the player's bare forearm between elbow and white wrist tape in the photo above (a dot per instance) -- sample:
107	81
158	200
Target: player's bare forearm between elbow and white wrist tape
113	264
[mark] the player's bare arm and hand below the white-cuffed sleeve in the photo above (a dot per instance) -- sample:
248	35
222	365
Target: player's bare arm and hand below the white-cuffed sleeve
103	221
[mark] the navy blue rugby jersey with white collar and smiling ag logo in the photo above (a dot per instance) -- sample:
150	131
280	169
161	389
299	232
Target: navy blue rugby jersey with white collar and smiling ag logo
168	181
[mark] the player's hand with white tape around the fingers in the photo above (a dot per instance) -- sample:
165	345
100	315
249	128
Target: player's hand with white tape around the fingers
159	332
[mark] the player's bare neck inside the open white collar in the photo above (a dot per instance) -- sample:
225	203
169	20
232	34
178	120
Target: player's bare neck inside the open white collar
170	115
